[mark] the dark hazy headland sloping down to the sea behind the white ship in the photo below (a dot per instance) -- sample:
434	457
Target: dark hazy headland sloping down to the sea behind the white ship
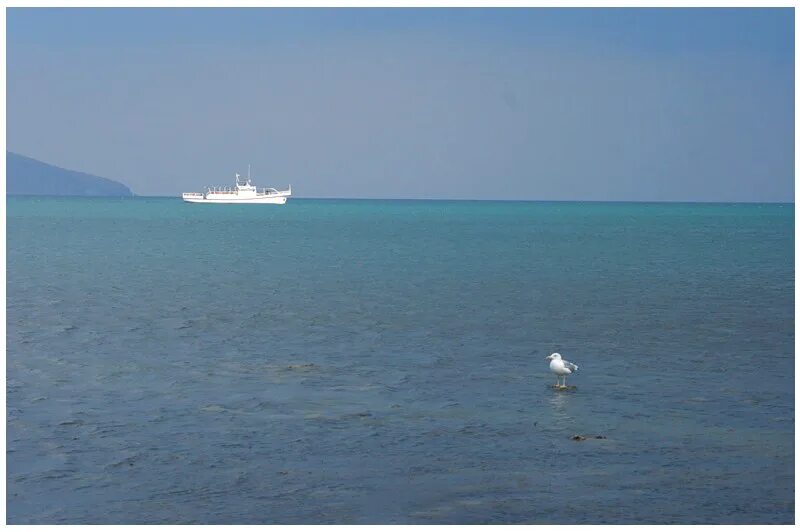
26	176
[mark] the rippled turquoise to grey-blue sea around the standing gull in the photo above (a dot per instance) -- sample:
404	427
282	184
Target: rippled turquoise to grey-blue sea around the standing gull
336	361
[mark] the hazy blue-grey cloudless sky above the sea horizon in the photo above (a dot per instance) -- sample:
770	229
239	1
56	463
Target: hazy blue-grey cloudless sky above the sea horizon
518	104
